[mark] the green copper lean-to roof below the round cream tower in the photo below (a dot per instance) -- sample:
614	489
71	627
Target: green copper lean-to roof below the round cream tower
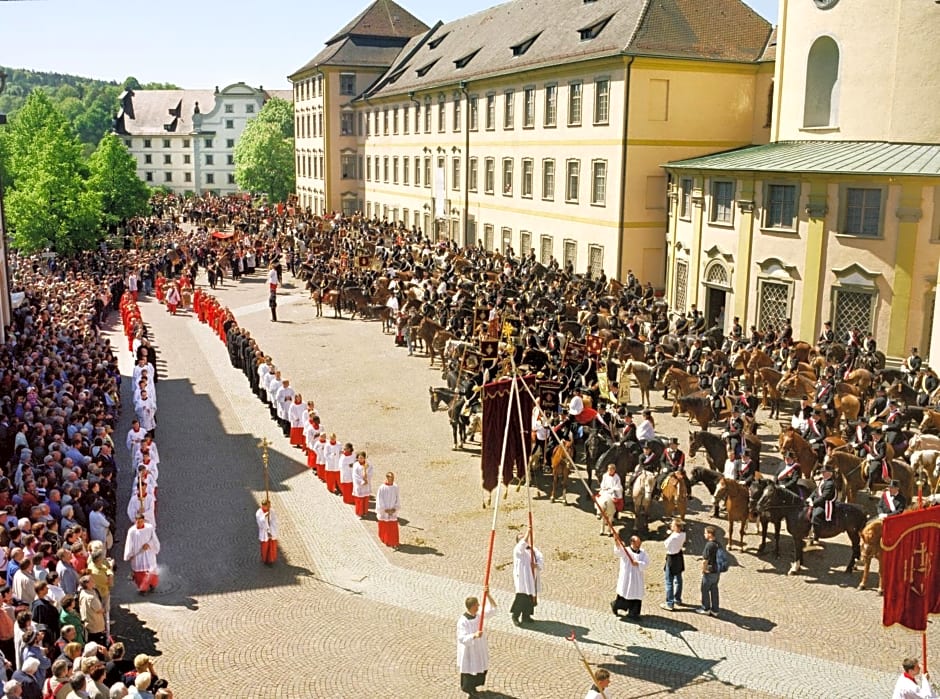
845	157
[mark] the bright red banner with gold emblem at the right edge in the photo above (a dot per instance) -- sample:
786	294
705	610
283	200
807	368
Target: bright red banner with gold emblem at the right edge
910	544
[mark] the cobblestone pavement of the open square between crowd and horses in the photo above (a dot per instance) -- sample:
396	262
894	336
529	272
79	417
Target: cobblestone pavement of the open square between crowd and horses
341	614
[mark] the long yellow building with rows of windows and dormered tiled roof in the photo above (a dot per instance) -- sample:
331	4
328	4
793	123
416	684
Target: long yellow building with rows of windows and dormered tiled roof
544	127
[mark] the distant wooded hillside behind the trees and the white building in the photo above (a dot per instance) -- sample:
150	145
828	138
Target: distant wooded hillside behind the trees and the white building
88	103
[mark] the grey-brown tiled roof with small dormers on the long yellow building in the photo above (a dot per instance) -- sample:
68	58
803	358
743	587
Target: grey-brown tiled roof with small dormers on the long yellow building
725	30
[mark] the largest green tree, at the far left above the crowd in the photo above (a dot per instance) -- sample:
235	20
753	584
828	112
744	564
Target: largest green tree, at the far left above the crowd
50	204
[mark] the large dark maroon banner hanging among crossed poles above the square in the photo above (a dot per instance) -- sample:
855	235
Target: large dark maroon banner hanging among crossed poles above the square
500	417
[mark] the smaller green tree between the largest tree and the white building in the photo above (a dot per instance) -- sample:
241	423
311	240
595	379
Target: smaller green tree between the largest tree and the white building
114	177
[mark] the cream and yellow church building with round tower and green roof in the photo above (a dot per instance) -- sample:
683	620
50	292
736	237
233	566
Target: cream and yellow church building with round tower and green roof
838	218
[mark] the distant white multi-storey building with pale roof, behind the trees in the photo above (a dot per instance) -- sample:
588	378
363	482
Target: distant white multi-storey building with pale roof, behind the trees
185	139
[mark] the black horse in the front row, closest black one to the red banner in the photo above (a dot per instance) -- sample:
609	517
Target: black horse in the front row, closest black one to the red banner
845	518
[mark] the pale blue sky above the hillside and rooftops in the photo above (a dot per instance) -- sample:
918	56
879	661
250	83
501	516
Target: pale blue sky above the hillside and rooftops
195	43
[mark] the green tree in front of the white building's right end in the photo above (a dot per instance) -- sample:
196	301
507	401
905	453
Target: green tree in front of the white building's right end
264	155
